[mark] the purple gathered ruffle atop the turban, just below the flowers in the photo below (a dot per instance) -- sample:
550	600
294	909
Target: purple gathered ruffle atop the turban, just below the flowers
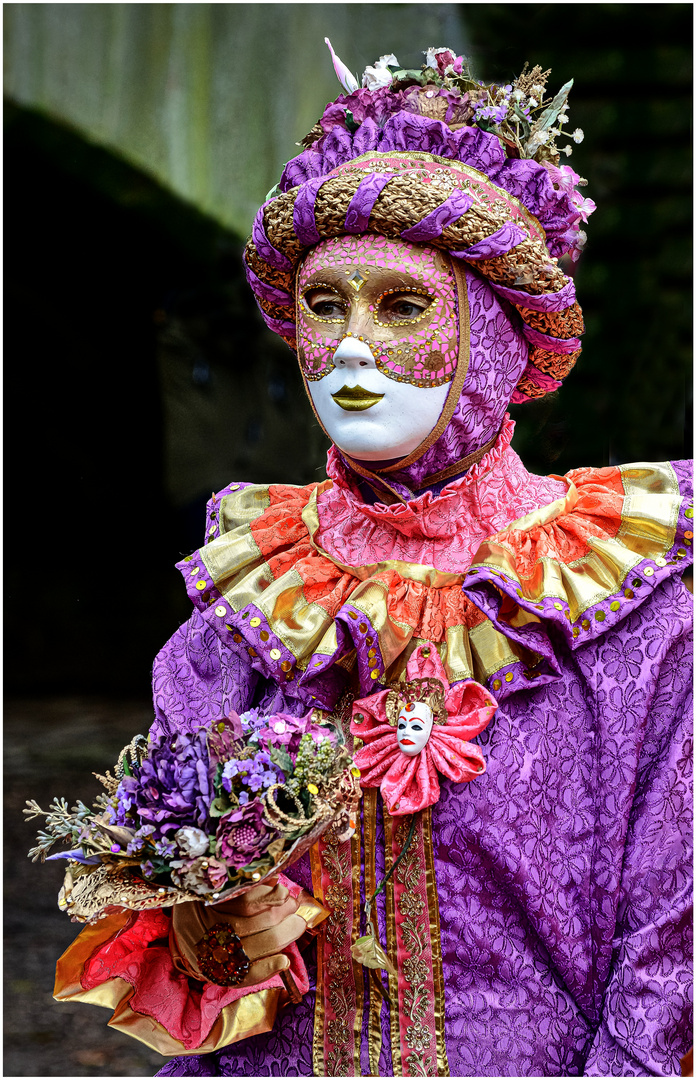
527	181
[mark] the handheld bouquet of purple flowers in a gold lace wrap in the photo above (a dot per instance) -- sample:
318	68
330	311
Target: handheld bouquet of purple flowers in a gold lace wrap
203	816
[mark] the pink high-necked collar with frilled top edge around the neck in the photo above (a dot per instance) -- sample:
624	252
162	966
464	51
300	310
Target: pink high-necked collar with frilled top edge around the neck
444	531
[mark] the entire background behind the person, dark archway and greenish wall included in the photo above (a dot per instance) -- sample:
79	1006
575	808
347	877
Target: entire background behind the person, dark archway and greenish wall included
140	141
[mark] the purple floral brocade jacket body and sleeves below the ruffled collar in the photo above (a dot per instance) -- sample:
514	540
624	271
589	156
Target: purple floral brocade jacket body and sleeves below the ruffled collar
564	873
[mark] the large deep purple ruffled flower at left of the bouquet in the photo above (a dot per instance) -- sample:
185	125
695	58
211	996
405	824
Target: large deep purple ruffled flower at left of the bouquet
172	789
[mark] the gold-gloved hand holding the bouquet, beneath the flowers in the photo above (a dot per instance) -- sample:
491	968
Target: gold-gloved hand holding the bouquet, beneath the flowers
264	919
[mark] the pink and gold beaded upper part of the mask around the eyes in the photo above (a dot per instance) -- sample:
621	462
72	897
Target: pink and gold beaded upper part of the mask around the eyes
364	273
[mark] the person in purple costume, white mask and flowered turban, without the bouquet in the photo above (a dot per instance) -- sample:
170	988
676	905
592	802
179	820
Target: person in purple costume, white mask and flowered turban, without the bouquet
538	921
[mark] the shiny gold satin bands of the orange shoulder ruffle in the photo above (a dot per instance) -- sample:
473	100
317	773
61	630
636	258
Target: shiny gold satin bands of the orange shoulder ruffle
647	530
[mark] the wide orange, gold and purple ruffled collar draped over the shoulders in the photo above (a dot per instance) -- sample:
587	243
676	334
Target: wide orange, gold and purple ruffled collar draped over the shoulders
312	624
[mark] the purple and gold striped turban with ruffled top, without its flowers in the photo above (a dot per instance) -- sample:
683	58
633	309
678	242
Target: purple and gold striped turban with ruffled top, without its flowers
417	180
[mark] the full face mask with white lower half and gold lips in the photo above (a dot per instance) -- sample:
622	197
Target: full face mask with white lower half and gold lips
378	335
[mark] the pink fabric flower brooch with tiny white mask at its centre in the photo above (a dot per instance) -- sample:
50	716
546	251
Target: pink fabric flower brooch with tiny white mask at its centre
418	730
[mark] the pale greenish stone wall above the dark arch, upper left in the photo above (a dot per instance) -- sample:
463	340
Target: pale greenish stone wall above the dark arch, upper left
207	99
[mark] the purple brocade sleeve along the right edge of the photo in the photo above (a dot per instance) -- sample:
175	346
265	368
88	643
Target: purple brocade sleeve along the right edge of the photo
646	1025
